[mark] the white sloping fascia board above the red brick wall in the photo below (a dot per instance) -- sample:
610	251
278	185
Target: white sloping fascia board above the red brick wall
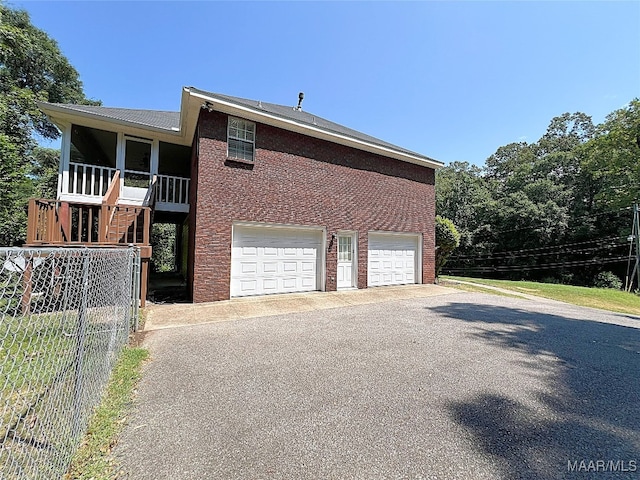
286	124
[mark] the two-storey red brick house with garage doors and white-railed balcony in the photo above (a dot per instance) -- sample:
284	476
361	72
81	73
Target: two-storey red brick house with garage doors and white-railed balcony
266	198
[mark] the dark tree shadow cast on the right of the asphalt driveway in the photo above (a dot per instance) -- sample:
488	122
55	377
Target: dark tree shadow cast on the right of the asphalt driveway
593	411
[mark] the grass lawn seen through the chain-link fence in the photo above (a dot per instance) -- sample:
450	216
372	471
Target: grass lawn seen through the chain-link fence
47	393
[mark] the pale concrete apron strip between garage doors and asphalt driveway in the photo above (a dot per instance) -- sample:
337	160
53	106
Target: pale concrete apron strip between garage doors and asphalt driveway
161	316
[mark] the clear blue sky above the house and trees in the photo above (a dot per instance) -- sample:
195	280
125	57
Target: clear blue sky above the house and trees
451	80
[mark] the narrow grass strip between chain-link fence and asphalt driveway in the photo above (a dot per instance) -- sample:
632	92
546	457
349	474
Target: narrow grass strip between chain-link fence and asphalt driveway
94	459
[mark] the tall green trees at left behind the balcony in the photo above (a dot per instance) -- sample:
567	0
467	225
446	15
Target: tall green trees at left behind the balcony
32	68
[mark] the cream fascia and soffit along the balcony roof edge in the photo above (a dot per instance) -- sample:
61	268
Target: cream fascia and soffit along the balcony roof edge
62	116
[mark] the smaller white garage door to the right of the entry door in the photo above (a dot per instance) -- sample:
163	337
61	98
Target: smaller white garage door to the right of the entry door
393	259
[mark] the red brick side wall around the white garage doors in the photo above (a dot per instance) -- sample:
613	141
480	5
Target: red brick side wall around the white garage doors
304	181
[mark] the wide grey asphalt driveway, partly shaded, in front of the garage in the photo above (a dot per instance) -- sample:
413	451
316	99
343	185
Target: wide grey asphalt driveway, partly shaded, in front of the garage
463	385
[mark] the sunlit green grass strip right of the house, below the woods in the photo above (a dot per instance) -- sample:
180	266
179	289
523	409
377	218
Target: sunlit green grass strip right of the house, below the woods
603	298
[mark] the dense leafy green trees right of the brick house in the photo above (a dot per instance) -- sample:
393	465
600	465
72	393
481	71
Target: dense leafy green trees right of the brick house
572	186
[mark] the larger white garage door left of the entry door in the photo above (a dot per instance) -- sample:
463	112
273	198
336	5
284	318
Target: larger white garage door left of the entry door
268	260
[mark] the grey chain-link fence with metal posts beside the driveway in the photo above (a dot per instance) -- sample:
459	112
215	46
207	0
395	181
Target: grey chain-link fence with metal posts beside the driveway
65	313
